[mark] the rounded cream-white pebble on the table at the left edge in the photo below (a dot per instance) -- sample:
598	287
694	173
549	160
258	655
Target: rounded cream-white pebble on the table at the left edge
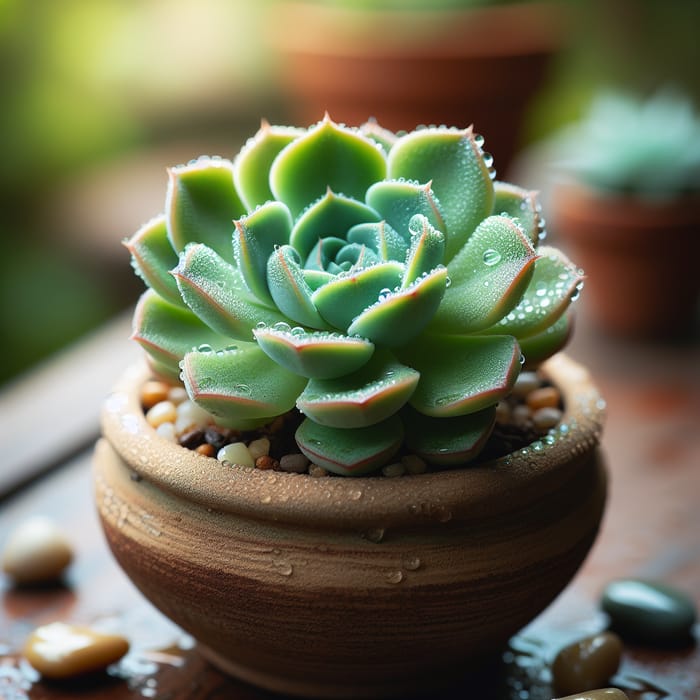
36	552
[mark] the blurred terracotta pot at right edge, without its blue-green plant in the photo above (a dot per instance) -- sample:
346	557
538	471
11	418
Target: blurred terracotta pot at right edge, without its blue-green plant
640	258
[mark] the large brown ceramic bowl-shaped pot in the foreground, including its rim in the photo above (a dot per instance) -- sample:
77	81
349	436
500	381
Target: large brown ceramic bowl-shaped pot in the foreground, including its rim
351	587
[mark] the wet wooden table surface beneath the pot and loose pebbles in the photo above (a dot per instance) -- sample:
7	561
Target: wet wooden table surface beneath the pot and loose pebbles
651	530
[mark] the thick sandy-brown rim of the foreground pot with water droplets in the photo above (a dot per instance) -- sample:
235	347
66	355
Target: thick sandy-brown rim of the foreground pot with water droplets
467	493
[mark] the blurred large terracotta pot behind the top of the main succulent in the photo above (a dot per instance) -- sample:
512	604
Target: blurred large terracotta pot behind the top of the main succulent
478	66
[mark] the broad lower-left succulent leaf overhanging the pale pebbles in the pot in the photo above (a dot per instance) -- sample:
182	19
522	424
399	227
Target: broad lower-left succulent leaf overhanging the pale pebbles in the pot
240	384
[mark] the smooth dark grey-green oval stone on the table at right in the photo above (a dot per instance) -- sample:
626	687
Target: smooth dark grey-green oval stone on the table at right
648	612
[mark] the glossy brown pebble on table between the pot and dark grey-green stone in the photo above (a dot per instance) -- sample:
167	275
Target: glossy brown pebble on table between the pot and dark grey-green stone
587	664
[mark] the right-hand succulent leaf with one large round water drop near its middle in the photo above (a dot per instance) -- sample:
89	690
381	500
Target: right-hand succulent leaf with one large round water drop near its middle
488	277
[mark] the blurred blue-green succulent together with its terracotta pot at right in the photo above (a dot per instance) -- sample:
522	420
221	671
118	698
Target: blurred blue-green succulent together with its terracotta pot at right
628	209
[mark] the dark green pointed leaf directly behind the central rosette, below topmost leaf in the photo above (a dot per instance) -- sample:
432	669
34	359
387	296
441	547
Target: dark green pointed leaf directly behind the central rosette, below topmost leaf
331	215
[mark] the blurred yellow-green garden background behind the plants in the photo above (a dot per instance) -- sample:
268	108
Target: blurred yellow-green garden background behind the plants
97	97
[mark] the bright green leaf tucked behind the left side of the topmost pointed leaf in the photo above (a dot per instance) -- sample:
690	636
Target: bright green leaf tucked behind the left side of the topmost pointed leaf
251	167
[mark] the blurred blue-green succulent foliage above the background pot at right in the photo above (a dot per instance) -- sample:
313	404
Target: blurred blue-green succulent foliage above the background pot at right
649	147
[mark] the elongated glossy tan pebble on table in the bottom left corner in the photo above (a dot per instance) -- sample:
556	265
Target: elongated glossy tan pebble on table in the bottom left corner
60	650
